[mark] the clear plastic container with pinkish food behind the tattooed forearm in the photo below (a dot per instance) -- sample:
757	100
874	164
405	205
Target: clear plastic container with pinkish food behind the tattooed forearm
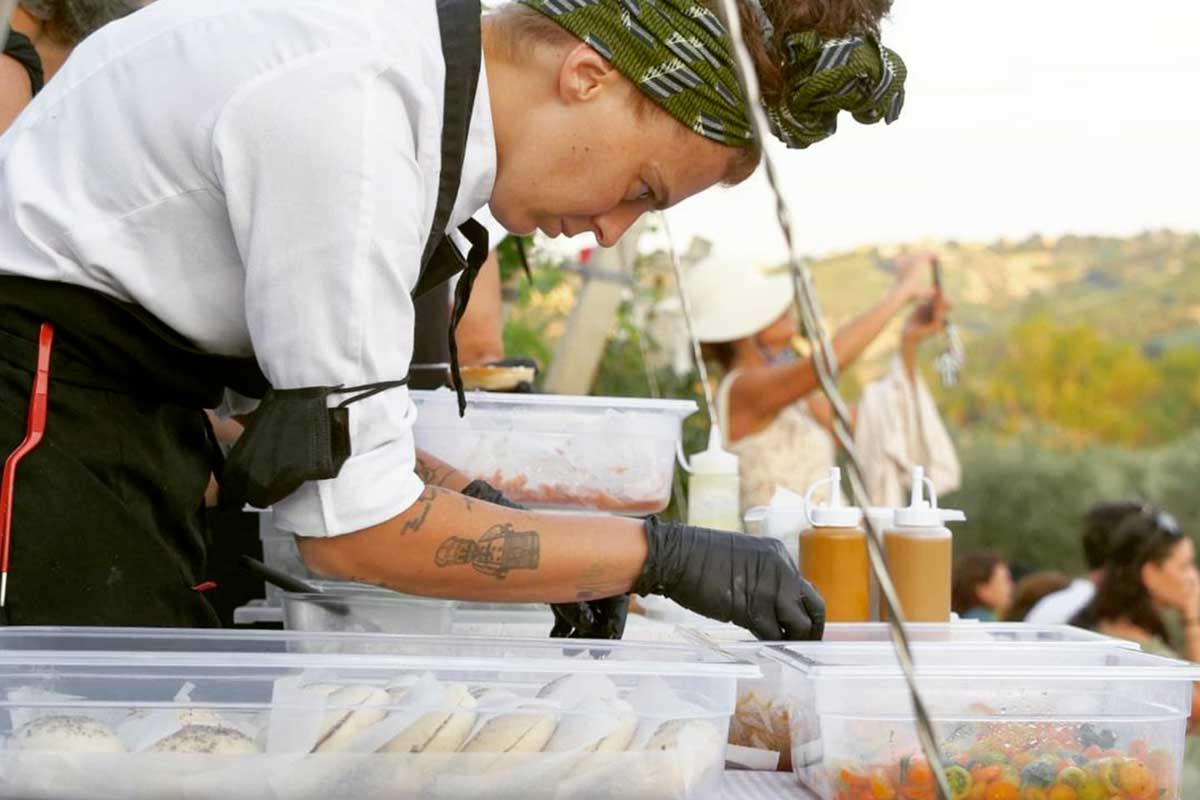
596	454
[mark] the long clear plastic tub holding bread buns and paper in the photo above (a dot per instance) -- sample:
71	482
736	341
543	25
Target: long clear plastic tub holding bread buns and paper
435	718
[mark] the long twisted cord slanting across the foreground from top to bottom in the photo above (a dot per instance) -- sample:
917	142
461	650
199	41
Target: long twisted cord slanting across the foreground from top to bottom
827	372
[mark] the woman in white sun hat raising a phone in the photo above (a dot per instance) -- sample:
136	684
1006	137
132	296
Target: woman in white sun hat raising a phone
771	411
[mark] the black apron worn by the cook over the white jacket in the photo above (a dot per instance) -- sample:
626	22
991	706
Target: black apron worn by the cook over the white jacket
109	512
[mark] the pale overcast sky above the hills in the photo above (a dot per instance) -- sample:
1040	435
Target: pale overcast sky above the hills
1022	117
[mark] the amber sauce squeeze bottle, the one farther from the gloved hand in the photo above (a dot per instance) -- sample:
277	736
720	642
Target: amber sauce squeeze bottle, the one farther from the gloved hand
920	552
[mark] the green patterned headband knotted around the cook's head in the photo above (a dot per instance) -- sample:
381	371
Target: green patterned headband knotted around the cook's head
679	53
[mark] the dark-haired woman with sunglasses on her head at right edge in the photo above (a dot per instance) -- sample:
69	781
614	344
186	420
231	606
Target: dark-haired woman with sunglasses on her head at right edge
1151	572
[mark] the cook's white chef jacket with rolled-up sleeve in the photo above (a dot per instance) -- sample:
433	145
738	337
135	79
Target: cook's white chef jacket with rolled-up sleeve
261	176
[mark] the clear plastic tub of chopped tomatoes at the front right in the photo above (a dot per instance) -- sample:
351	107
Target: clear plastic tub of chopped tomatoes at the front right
1018	718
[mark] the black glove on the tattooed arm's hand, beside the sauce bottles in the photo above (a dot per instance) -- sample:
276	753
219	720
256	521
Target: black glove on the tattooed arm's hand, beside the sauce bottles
749	581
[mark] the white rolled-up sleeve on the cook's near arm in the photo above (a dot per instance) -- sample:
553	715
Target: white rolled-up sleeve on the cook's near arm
331	210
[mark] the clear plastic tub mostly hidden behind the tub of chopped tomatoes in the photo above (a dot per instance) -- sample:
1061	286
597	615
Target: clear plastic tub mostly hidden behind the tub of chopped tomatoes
765	706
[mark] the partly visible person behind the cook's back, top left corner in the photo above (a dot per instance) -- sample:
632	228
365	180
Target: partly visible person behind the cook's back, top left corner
43	34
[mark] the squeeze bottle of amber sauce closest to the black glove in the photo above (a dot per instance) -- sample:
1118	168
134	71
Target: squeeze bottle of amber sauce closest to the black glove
833	551
